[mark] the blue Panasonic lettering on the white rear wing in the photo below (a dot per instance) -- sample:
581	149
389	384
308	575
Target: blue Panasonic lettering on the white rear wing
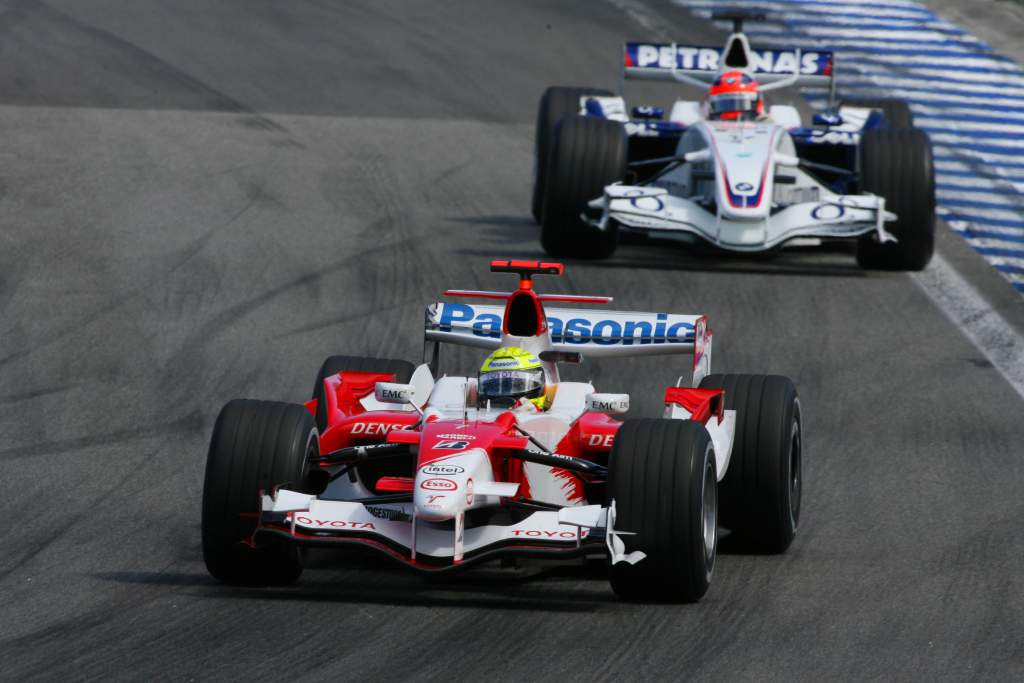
652	329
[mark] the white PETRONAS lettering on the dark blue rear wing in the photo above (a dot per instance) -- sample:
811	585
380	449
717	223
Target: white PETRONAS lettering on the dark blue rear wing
653	56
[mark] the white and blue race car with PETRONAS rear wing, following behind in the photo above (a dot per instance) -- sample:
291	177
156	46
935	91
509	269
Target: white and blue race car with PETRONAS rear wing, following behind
862	172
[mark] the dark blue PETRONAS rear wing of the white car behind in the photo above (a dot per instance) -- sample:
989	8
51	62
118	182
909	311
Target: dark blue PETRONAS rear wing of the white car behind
655	62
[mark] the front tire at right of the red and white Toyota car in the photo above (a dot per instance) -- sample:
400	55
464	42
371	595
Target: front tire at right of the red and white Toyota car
662	476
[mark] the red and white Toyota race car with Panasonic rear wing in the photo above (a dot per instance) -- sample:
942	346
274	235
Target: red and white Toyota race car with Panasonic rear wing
415	464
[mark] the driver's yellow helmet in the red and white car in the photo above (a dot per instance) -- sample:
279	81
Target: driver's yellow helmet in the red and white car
510	376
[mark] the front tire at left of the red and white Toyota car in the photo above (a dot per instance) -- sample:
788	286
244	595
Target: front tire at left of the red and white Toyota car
255	446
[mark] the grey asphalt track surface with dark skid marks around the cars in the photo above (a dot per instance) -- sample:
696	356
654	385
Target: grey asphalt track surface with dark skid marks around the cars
201	200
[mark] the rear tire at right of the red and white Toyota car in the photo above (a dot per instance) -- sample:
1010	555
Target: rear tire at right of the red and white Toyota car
762	488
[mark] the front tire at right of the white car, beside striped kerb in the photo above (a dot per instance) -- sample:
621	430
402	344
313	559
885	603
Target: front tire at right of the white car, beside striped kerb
898	165
